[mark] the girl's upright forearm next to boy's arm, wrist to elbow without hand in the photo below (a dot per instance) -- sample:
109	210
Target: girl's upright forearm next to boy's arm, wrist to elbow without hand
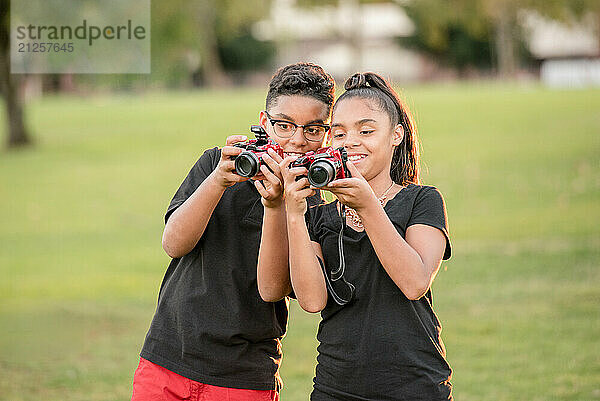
305	271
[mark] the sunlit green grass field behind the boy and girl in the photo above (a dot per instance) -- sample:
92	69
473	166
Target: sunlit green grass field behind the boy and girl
81	220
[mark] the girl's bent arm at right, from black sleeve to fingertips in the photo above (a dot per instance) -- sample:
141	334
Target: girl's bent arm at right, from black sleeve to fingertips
412	263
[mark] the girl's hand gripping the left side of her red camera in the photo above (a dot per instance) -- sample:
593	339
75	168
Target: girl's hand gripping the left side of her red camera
296	192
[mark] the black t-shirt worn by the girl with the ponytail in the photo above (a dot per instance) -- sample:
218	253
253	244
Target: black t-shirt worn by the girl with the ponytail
381	345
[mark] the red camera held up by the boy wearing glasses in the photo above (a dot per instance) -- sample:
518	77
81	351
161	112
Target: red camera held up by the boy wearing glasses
247	163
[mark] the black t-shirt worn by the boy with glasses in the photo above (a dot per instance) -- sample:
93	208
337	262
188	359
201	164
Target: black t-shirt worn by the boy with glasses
211	324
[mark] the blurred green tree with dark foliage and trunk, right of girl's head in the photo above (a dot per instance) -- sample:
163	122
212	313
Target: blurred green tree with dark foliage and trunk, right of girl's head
460	30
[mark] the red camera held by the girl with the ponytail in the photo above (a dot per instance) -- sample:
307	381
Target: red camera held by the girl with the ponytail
324	165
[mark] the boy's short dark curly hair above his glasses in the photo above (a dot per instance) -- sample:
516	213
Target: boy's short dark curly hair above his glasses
305	79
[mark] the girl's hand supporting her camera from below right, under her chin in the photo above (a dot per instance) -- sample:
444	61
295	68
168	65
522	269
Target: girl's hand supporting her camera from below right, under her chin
354	192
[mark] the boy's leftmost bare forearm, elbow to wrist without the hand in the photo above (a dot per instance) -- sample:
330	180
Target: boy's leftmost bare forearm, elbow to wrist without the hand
187	224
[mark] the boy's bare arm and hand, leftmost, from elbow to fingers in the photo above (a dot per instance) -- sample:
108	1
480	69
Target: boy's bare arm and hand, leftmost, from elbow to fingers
185	226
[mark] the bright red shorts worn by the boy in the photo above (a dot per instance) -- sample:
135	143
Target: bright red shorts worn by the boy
155	383
